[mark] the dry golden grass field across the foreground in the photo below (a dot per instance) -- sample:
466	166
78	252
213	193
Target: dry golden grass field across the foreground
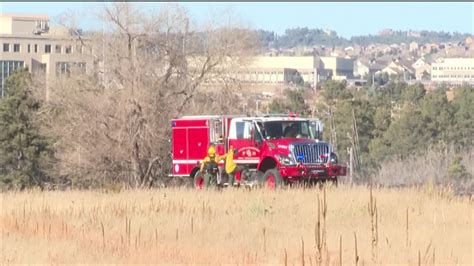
183	226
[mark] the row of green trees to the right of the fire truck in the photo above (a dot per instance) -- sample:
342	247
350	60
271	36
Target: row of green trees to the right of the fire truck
393	122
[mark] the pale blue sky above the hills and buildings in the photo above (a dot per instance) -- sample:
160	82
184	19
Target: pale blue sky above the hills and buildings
347	19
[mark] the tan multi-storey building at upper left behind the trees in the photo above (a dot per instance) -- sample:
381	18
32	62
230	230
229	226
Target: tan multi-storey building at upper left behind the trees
27	41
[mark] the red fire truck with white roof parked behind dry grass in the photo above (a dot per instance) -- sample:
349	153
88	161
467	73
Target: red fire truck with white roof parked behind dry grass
273	149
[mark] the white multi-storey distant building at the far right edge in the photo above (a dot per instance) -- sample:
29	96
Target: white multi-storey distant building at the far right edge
453	71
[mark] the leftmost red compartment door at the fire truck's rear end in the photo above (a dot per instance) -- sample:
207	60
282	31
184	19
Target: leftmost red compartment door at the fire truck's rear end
180	151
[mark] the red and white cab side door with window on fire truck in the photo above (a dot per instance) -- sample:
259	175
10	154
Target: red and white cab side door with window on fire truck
241	136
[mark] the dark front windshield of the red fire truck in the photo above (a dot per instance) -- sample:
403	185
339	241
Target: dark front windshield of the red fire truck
285	129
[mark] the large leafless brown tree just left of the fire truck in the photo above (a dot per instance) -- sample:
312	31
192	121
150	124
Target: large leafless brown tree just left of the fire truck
114	124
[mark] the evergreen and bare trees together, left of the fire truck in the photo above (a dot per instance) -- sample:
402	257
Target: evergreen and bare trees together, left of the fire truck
112	126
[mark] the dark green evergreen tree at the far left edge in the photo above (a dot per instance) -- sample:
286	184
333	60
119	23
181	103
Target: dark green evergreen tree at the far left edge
24	153
